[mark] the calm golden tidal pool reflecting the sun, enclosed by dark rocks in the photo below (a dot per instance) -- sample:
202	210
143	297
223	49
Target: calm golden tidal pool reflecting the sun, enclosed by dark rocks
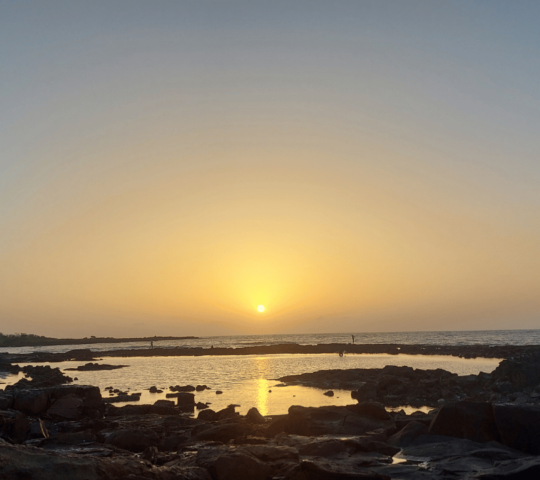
246	380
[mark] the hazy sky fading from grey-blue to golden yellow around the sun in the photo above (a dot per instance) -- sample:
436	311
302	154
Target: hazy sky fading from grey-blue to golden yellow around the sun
166	167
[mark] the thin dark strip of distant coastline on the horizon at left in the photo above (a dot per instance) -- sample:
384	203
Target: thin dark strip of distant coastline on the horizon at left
30	340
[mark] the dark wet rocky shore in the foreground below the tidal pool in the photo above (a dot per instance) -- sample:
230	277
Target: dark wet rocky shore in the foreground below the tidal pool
481	426
